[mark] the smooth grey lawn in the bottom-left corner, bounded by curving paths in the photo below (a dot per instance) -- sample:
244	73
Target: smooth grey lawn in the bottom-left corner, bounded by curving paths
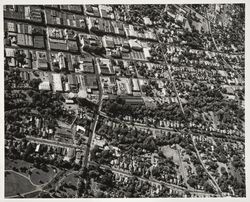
16	184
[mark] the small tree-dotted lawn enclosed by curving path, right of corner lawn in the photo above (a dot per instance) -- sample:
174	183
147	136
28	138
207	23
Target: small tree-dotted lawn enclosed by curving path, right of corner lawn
39	176
